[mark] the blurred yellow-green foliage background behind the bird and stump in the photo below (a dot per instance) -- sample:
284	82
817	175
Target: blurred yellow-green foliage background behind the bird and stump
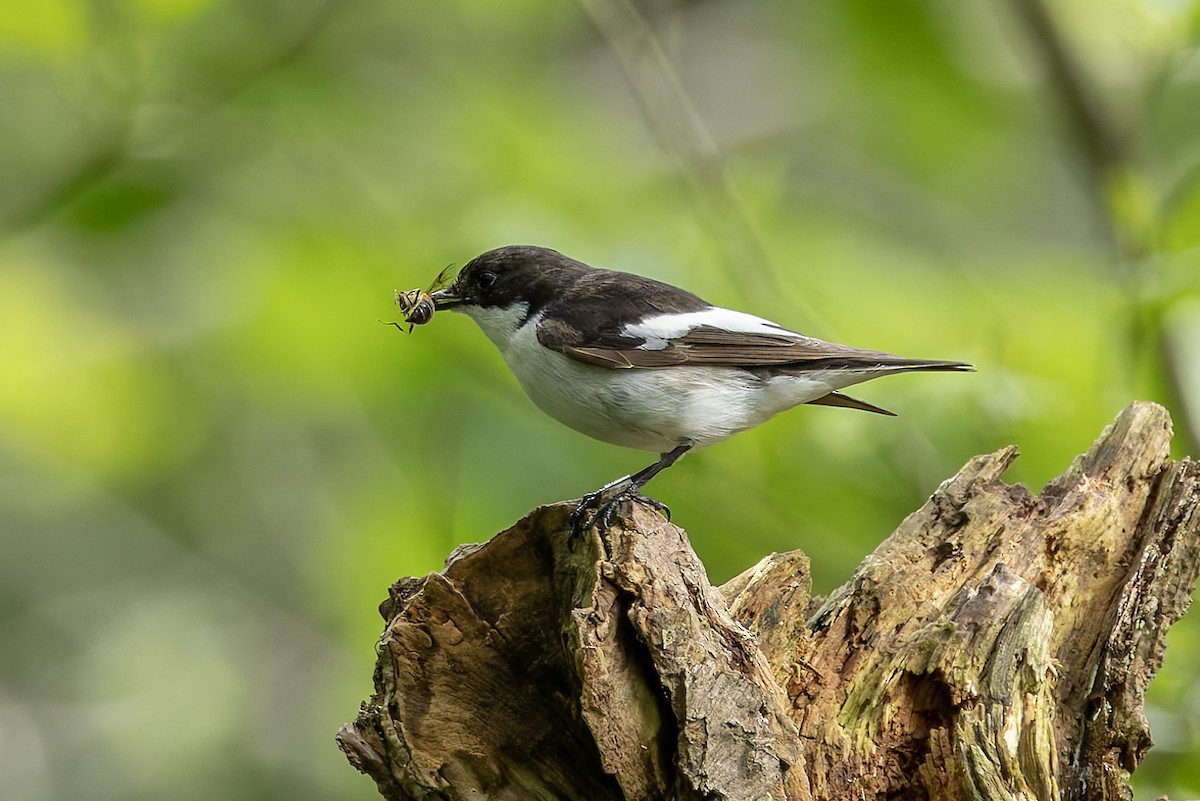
214	460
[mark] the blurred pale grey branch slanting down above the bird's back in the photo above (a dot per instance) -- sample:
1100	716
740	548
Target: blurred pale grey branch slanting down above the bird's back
681	131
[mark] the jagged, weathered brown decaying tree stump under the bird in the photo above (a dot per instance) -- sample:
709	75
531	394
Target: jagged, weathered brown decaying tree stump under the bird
998	646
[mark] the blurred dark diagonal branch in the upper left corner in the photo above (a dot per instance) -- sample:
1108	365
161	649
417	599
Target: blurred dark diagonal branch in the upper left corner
112	149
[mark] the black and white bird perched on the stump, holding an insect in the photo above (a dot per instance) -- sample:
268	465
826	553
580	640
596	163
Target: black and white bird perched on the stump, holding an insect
645	365
